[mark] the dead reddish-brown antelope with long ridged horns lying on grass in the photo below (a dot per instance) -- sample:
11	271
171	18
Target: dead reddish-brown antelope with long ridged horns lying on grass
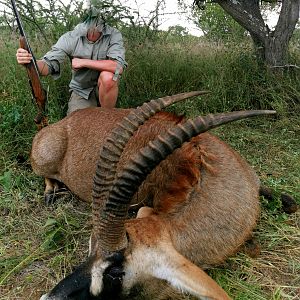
199	202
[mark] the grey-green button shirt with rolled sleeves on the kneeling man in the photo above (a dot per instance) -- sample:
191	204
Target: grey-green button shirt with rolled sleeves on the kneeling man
75	44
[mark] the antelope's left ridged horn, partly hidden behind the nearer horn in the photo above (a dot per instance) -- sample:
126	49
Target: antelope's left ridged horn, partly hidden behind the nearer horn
115	143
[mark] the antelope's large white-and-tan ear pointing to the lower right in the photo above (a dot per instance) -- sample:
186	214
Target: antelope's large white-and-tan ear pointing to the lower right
186	276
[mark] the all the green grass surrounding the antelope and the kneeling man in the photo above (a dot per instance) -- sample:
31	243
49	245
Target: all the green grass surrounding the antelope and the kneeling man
39	245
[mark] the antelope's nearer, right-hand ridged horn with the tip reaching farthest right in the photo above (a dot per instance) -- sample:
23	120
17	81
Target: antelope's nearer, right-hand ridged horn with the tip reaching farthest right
114	213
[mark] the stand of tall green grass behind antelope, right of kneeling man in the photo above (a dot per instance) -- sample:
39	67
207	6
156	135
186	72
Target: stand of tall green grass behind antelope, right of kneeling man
233	76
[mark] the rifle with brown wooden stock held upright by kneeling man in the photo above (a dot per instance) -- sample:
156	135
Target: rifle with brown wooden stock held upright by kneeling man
37	90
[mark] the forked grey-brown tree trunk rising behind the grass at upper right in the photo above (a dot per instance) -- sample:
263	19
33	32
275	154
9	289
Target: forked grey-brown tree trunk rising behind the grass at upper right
271	46
